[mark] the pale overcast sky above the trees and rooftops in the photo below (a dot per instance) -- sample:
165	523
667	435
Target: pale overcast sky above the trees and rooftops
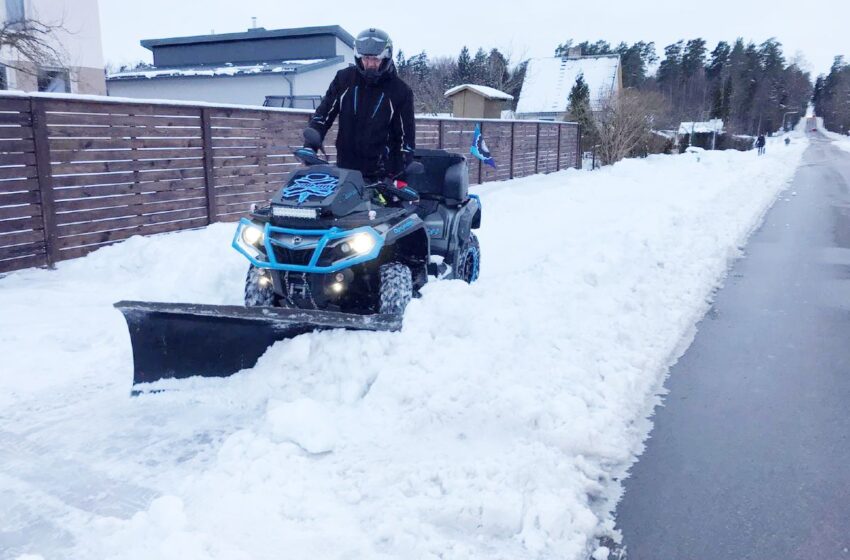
525	28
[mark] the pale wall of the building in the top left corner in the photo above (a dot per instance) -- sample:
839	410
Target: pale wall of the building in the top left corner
79	41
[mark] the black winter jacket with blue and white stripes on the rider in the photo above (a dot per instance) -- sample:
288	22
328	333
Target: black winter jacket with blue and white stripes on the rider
377	132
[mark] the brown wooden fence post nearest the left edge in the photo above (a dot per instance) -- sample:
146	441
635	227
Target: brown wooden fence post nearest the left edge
45	180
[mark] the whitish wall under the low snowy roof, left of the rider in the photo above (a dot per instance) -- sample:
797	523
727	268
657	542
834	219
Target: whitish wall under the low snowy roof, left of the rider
239	90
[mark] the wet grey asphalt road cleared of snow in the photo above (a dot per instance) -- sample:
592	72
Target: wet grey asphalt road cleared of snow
750	455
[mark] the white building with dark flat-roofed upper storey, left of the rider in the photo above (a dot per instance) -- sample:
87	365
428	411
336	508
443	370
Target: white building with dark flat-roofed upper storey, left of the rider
280	67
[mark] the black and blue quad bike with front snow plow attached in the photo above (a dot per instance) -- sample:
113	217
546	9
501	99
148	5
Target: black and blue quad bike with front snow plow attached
331	250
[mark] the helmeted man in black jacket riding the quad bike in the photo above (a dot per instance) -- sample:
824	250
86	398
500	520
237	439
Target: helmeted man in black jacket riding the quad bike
377	130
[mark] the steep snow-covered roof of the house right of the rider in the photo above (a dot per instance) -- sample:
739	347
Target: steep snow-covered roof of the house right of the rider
548	81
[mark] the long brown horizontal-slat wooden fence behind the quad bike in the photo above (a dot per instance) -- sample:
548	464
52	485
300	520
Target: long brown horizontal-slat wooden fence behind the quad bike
78	174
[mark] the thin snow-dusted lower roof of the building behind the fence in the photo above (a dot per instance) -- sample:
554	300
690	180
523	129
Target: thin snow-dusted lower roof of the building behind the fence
227	69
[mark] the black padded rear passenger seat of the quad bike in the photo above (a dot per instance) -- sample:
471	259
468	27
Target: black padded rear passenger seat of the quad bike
446	177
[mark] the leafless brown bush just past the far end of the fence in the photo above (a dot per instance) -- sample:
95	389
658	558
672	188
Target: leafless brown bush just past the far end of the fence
624	123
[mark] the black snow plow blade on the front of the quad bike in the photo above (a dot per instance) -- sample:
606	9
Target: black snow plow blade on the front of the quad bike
178	340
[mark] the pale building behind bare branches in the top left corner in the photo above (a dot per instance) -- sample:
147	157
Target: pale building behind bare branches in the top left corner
76	40
